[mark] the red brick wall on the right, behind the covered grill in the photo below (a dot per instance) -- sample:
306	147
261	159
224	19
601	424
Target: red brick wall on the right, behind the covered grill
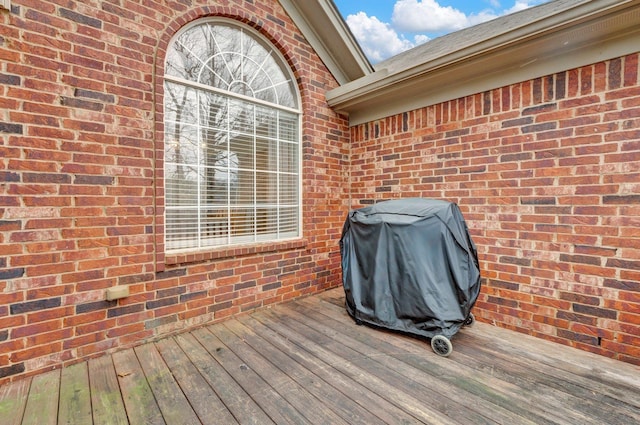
547	174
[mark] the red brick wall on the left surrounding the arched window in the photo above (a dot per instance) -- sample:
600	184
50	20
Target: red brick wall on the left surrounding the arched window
81	191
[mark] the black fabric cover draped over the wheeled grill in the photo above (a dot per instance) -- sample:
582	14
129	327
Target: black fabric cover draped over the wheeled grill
409	265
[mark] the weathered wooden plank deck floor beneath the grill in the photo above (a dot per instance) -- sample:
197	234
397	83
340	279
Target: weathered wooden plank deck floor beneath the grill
306	362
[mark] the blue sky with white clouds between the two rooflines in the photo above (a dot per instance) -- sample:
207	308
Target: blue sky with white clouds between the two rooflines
384	28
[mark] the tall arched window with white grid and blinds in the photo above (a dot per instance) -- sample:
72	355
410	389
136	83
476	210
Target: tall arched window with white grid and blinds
232	139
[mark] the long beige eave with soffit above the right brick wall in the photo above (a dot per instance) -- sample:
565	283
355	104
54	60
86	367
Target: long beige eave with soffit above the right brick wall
586	33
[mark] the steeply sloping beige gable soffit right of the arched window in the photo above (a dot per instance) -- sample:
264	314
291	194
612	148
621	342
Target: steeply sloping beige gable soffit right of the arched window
323	27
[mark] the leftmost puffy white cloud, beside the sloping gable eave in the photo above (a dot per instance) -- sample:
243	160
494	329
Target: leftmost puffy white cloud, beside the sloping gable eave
377	39
